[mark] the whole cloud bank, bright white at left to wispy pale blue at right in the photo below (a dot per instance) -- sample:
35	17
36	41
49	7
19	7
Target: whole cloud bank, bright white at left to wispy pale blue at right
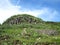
7	9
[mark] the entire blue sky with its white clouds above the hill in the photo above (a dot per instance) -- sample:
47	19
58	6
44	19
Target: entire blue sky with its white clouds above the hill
48	10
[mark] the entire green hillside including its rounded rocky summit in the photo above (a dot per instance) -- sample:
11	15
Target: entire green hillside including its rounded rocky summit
24	29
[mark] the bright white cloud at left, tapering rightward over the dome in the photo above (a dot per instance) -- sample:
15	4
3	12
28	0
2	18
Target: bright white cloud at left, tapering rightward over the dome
7	10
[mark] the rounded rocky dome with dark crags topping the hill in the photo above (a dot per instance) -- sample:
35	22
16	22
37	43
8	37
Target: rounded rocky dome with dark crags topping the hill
22	18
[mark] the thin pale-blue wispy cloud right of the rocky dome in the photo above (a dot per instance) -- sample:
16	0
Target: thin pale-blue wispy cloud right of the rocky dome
49	14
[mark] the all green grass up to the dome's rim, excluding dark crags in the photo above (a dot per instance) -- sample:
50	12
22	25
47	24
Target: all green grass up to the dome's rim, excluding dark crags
11	34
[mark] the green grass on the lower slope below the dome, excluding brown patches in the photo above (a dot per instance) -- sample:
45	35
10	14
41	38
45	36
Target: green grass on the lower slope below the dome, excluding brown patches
15	33
